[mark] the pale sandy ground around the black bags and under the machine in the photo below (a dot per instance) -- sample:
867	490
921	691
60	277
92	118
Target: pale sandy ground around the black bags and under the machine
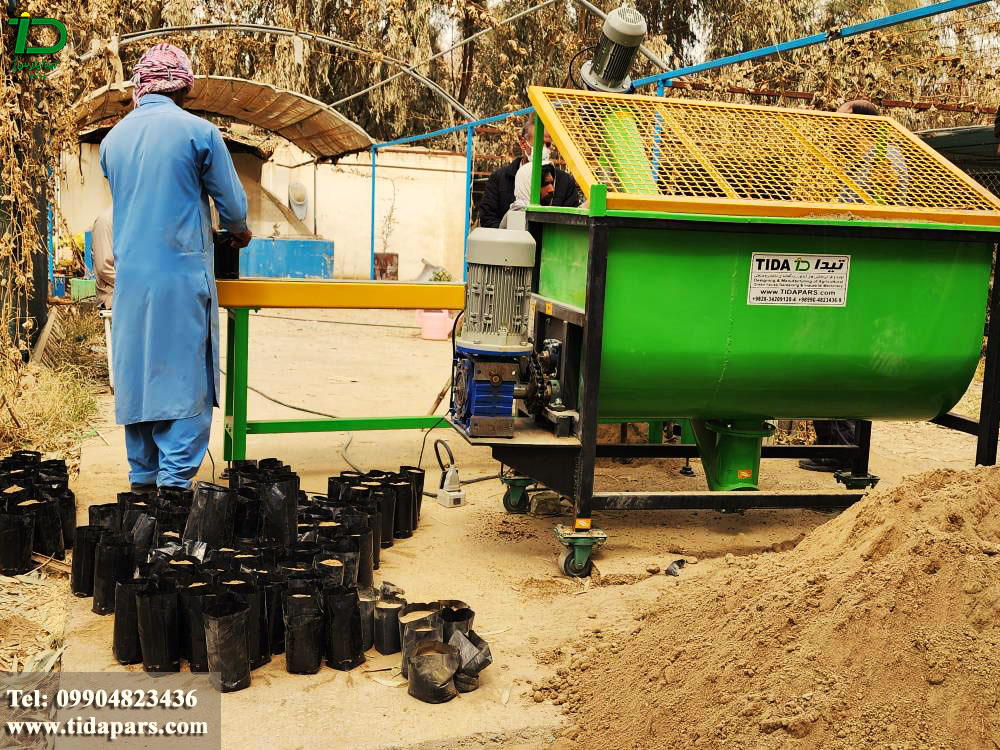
504	566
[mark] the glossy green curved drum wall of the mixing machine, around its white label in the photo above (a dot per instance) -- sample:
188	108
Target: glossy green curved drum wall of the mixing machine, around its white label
680	339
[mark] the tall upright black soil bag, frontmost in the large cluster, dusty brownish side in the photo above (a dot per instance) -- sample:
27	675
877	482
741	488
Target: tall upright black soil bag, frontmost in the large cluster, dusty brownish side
226	639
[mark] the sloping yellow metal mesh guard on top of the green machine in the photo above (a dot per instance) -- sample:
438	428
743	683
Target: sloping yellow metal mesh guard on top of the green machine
687	156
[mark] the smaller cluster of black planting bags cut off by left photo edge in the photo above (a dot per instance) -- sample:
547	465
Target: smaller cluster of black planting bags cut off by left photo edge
38	511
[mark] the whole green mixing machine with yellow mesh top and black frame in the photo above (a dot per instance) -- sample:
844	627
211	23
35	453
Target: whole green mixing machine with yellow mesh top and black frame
733	265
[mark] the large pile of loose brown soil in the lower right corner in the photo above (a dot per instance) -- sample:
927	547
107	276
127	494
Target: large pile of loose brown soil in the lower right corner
880	629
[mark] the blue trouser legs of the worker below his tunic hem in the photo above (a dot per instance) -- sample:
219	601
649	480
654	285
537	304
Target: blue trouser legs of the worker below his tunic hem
169	452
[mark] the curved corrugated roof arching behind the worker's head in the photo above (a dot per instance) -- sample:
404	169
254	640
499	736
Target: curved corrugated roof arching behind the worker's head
309	124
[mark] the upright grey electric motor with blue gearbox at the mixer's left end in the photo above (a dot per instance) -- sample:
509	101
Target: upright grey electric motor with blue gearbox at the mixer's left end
494	331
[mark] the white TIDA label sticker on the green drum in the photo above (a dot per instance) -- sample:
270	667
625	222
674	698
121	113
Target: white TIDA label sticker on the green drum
799	280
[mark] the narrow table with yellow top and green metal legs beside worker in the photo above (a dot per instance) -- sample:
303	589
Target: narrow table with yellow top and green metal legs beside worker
239	297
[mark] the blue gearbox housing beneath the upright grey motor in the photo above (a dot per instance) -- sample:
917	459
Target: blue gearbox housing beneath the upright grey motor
483	391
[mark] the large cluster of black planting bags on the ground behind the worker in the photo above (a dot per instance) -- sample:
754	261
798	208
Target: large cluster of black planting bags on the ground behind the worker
225	576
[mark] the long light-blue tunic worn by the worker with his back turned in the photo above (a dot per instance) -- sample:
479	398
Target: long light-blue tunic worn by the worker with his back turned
163	163
